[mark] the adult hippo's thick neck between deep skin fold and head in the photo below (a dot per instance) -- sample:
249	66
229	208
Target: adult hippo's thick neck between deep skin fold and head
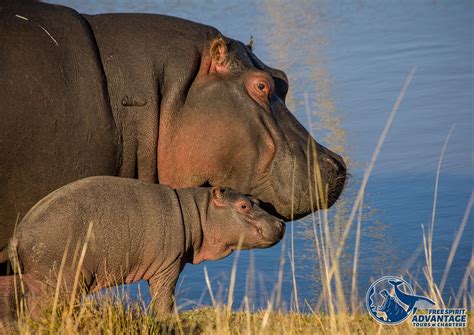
149	63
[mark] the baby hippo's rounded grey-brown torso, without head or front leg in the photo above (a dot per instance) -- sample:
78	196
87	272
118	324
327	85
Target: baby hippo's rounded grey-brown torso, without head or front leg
131	225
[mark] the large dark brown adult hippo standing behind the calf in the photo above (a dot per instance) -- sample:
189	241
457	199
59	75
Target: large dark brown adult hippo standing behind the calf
151	97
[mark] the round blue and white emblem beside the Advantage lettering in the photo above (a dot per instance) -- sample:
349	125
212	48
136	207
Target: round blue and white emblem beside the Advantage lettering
390	300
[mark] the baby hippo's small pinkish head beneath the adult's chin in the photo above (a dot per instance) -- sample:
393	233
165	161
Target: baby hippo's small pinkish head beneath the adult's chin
234	218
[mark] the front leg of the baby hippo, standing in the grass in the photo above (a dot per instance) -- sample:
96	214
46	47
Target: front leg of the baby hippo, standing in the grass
162	287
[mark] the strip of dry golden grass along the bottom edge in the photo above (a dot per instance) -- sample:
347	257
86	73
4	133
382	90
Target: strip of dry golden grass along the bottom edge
112	317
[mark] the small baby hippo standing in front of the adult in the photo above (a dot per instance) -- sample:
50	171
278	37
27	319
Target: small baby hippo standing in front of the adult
135	230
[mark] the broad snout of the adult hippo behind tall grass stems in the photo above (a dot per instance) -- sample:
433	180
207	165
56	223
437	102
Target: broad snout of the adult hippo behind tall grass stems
312	173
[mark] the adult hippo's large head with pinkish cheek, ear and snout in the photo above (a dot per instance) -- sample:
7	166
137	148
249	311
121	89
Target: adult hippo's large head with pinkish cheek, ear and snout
236	131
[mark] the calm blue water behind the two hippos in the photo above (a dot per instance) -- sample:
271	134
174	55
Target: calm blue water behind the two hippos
350	59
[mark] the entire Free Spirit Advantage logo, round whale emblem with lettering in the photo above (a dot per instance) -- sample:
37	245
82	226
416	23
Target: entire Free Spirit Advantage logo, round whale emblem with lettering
391	300
